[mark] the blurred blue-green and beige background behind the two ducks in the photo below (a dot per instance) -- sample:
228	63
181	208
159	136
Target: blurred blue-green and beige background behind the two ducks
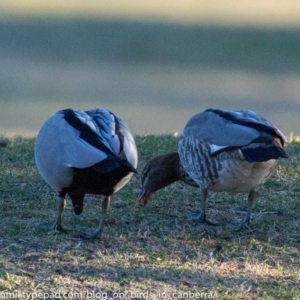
155	63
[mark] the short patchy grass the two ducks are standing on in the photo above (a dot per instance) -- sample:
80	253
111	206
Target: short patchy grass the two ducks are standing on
148	251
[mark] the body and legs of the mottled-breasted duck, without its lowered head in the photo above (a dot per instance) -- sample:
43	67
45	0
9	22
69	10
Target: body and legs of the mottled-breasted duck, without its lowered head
230	151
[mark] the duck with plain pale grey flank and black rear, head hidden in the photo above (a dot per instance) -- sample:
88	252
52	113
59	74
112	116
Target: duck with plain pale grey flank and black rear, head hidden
85	152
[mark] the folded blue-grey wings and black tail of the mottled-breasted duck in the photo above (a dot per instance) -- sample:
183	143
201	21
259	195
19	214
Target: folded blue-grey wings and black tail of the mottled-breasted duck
257	137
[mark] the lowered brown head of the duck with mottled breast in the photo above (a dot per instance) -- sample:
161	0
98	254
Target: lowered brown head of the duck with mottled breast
158	173
